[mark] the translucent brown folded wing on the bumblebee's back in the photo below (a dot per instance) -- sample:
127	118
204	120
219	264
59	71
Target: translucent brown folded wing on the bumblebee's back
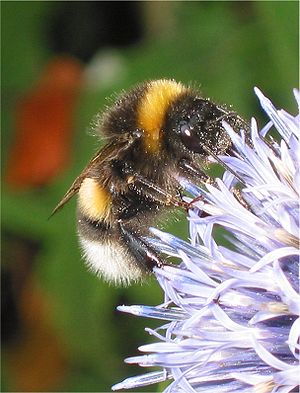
110	152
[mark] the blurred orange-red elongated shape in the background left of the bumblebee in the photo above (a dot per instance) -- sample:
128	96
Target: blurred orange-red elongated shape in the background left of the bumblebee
42	143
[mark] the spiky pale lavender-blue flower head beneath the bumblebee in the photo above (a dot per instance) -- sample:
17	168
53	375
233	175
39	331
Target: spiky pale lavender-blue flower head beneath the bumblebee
232	312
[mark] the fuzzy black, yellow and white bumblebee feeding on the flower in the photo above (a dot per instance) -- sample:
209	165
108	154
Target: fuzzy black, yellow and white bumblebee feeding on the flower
156	134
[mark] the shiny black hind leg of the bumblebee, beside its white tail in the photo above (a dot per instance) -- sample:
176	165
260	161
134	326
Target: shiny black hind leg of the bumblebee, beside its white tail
141	251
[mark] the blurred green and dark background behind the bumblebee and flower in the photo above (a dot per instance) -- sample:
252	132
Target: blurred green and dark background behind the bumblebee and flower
60	327
